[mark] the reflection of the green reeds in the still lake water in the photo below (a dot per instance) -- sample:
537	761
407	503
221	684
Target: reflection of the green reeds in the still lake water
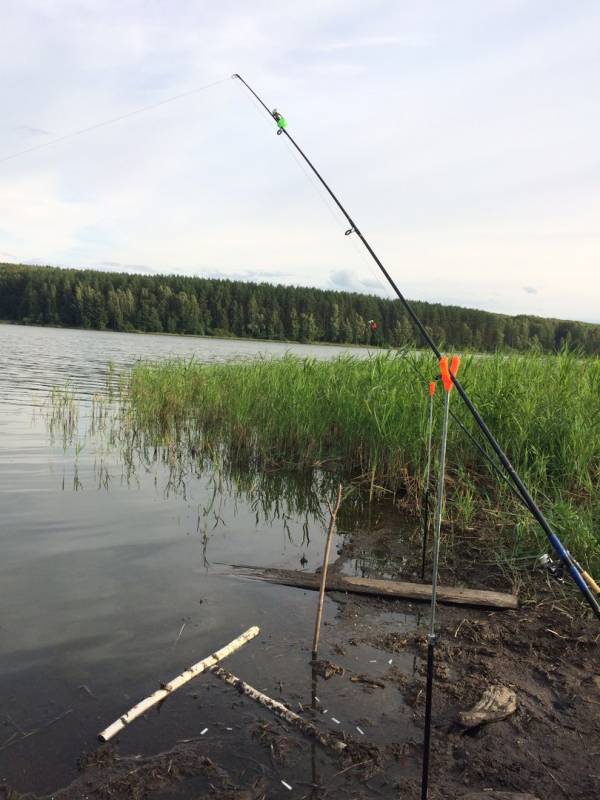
217	480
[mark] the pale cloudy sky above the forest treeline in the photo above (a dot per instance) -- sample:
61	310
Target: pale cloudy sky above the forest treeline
462	137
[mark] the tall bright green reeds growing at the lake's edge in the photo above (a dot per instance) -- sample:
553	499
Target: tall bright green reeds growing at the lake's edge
368	418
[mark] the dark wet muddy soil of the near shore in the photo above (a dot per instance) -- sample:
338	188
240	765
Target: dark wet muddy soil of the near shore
368	689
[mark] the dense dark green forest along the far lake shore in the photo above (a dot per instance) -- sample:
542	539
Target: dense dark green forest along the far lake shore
180	304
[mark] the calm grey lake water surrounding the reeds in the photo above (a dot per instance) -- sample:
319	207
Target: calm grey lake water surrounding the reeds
114	581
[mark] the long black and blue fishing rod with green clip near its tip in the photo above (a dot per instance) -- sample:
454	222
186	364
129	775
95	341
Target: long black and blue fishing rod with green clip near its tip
561	551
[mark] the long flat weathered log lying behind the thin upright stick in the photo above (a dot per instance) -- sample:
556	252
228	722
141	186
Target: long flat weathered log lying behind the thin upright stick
454	595
